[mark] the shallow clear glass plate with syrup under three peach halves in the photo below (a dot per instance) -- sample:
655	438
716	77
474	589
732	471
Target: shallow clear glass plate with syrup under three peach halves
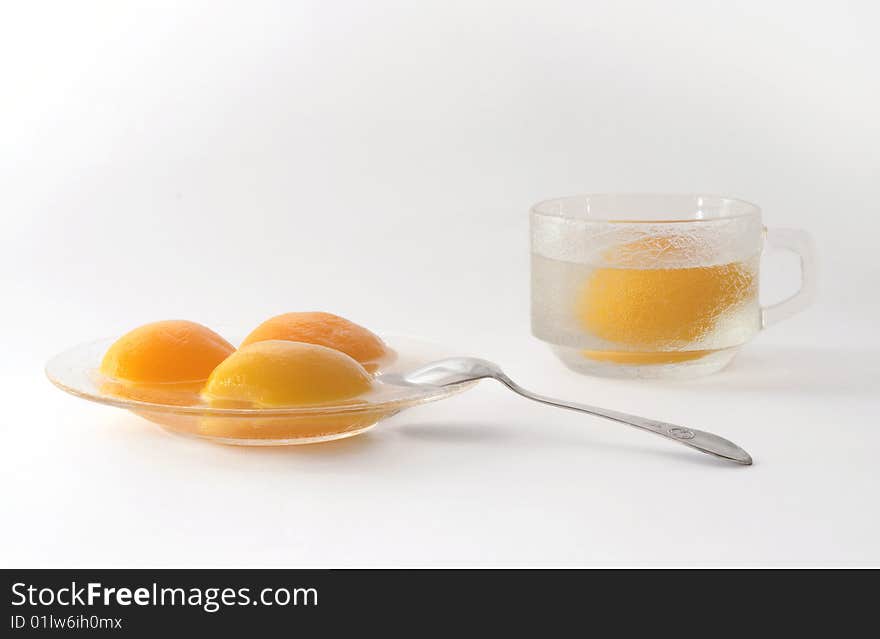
76	371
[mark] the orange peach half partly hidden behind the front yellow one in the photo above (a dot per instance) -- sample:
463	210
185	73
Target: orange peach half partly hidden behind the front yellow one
324	329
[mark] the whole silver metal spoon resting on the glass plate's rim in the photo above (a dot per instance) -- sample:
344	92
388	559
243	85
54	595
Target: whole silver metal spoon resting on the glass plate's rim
457	370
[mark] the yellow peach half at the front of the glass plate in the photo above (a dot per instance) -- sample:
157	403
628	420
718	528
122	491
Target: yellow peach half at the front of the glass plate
277	373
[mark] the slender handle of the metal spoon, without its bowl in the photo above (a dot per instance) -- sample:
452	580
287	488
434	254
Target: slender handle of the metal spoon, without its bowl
701	440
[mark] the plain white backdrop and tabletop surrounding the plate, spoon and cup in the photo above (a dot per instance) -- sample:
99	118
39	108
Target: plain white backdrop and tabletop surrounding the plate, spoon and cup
227	162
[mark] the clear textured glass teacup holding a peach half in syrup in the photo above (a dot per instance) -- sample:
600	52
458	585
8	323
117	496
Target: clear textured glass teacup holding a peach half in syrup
654	285
